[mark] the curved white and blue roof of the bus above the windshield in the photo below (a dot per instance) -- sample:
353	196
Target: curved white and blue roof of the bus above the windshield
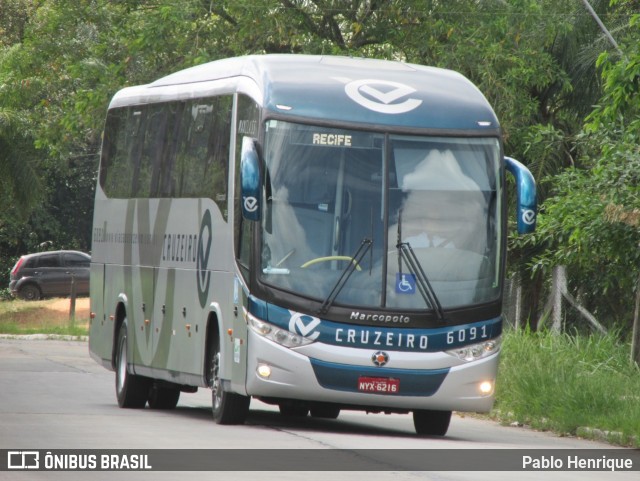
351	90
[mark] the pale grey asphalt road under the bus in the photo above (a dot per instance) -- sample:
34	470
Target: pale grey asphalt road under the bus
53	396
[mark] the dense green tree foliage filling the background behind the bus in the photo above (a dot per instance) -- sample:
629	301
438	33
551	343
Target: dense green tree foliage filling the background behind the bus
544	65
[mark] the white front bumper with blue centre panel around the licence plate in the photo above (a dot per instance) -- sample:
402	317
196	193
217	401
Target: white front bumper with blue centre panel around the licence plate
324	373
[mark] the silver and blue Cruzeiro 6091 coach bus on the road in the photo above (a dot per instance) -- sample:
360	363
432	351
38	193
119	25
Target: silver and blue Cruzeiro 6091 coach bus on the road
319	233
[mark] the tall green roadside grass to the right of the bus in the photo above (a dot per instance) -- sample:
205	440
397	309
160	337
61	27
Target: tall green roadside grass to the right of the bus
570	385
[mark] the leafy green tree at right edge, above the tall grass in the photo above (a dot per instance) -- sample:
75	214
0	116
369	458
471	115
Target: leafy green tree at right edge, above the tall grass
590	222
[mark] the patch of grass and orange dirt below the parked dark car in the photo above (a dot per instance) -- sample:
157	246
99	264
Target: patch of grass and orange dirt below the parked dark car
51	316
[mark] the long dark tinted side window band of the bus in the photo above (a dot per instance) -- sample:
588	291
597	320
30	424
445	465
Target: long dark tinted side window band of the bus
173	149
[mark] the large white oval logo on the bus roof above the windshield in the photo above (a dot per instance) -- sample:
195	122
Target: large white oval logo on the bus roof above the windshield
382	96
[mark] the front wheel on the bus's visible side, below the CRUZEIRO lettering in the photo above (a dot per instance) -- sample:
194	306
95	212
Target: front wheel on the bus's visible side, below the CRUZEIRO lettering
227	407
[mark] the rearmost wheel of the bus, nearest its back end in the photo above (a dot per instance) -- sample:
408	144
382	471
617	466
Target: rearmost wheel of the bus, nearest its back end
132	391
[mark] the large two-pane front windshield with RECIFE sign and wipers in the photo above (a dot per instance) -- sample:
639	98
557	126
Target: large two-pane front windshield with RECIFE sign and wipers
398	216
